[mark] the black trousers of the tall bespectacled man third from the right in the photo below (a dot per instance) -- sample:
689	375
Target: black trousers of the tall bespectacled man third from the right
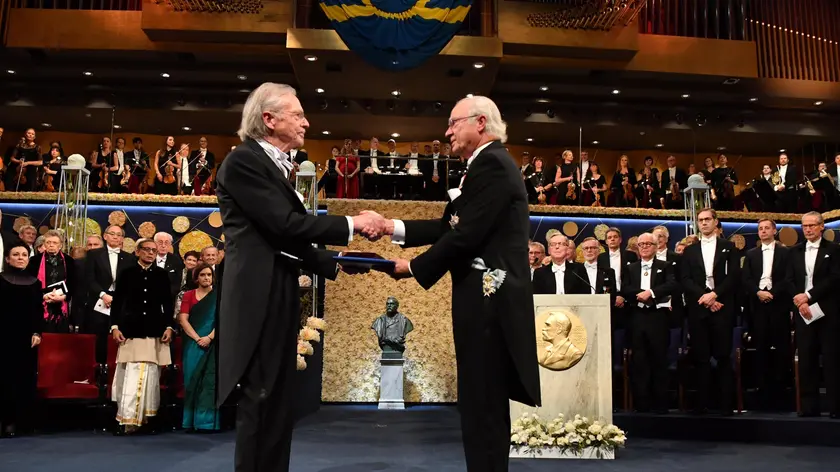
711	337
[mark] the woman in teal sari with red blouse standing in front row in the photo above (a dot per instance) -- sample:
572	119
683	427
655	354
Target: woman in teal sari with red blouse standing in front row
197	318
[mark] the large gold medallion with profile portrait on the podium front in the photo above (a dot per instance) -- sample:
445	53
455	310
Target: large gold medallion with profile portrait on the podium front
561	339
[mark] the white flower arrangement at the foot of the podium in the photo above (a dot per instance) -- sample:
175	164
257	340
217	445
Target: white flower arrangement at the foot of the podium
532	433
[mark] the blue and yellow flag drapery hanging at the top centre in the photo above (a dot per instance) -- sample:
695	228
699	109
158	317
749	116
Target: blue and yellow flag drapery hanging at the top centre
396	34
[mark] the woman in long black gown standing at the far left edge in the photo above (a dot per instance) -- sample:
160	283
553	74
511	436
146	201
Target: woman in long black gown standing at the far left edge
21	315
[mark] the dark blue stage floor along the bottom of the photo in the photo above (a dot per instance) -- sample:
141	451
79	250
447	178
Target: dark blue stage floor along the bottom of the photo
362	439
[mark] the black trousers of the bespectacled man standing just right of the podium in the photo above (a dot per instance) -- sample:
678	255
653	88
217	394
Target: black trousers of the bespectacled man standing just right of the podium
649	372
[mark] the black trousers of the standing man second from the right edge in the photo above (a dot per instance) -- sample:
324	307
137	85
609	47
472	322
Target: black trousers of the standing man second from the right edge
771	337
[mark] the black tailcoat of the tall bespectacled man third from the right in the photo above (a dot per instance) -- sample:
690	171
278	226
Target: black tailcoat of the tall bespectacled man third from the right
725	273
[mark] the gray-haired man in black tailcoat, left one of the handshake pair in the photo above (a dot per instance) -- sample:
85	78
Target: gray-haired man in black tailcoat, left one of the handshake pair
269	237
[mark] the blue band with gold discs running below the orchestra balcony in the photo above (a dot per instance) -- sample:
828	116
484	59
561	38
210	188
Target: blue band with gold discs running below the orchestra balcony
201	229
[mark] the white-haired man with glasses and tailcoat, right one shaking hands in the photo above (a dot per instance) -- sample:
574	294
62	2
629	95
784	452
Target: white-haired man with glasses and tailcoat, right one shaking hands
483	234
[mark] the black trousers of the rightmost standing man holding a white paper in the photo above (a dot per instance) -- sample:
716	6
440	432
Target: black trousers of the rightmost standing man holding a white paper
820	337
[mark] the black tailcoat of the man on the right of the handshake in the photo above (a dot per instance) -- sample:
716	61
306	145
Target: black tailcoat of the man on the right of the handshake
492	224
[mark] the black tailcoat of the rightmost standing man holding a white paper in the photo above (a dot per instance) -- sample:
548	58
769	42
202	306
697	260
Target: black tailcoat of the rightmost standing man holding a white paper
826	276
